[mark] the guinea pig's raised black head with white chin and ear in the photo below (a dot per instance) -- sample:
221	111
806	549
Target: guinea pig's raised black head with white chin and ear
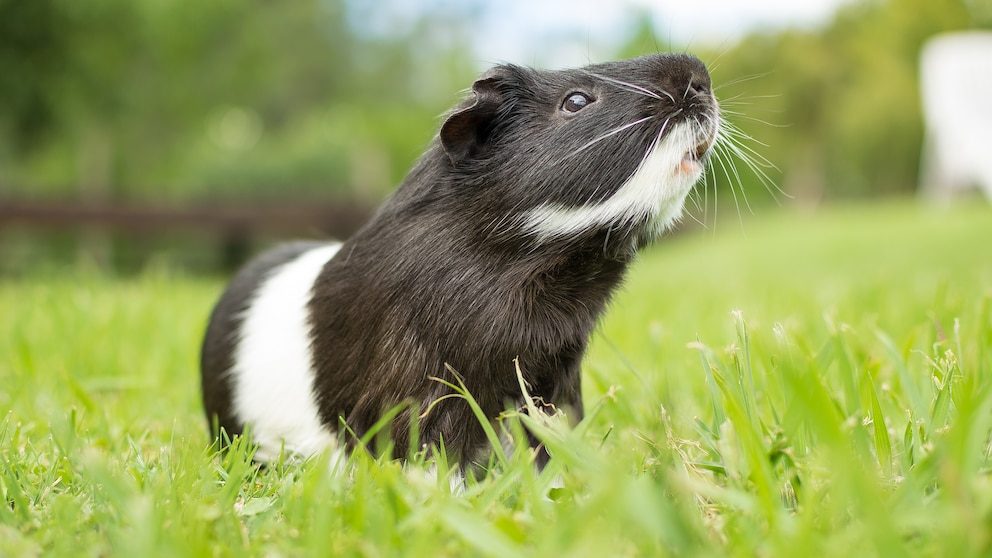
615	146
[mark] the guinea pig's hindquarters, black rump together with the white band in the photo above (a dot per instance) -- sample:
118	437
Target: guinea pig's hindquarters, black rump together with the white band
256	361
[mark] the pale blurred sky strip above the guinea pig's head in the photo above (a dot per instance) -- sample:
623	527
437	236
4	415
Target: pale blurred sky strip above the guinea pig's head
576	32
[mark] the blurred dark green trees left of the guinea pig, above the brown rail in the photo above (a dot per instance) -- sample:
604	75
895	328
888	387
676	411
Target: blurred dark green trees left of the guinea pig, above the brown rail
184	99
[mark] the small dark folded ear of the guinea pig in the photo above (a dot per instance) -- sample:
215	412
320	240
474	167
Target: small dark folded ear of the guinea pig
466	130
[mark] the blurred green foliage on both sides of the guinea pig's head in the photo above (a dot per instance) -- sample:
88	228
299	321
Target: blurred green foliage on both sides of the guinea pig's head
184	100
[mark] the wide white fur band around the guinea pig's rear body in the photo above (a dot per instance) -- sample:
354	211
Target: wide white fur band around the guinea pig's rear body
272	377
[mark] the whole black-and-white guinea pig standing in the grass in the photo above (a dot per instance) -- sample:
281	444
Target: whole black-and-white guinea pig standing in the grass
501	248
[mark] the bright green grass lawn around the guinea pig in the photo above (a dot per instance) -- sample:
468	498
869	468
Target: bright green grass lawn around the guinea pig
816	385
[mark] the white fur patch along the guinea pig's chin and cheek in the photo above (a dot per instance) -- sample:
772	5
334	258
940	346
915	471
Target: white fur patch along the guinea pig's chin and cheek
656	191
